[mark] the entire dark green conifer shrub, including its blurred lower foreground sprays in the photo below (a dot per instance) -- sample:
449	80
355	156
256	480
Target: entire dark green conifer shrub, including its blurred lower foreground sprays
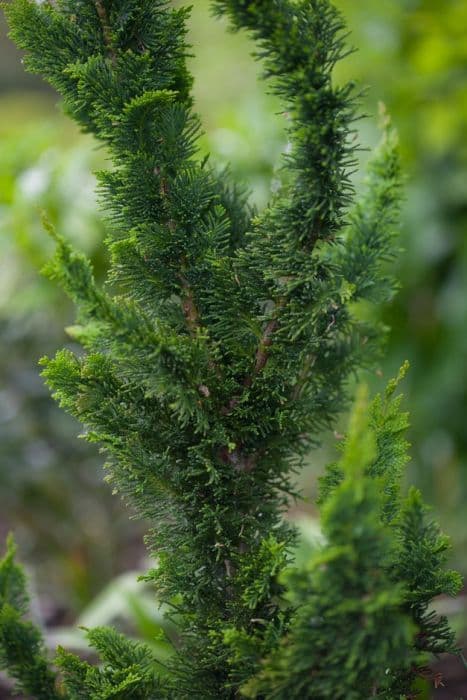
216	352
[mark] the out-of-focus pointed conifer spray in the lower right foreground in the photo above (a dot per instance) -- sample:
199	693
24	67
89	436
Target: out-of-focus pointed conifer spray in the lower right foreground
361	626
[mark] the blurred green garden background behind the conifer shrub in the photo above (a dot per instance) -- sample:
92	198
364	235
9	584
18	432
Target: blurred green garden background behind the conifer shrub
76	538
